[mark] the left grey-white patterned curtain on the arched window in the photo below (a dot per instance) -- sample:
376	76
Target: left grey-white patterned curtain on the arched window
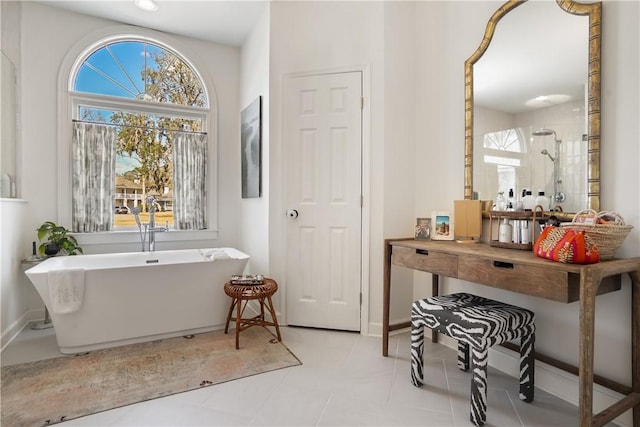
94	168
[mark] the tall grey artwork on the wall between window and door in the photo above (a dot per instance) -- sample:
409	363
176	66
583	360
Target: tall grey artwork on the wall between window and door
250	142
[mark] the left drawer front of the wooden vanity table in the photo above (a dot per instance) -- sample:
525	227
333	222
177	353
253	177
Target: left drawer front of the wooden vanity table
426	260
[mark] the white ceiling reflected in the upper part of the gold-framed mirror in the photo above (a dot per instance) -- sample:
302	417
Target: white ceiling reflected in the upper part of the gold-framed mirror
538	50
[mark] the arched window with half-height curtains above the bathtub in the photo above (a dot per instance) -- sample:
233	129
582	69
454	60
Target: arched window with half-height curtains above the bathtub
139	139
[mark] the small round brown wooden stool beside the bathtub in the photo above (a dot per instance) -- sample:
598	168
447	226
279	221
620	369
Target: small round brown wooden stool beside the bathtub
240	293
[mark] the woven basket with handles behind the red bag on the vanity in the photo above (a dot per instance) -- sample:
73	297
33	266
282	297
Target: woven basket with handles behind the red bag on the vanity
607	237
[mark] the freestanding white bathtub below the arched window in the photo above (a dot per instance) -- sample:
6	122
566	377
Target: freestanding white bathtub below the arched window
141	296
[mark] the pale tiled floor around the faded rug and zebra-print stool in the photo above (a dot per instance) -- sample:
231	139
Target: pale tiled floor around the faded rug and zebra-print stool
343	381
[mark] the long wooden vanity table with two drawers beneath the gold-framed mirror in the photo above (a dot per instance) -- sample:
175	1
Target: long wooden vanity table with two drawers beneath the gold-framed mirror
523	272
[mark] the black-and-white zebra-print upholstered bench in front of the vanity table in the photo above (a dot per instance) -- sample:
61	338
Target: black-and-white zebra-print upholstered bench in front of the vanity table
476	323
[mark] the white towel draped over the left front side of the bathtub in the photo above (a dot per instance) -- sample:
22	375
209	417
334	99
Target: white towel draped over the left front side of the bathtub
66	290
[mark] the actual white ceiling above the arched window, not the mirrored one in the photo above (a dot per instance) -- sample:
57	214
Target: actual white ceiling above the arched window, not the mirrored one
225	22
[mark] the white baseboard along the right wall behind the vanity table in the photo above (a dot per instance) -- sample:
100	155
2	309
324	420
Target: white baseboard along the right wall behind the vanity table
554	381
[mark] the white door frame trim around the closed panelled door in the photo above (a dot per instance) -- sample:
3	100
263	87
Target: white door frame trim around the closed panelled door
365	210
